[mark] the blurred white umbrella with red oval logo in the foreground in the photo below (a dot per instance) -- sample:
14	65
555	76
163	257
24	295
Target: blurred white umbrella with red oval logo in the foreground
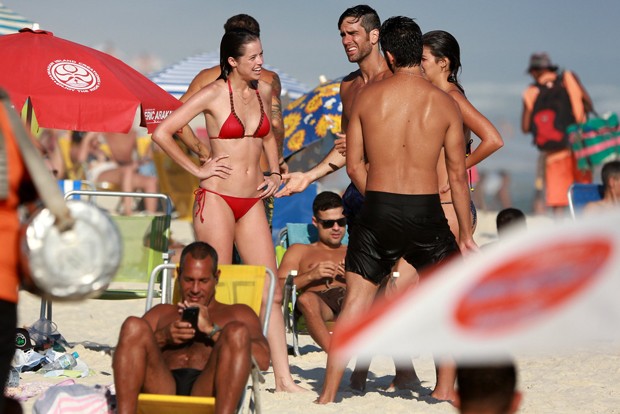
538	292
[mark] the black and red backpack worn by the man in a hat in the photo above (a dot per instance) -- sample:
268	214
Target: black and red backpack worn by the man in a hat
551	115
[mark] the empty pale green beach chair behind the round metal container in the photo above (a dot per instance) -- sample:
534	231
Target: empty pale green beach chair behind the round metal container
145	245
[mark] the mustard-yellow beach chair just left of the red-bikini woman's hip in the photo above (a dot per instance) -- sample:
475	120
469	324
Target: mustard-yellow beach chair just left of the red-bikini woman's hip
177	183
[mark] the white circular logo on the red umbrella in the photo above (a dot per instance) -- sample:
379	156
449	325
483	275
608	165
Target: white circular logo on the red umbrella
73	76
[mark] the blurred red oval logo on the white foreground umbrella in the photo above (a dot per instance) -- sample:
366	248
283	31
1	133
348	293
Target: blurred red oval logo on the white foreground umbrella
530	285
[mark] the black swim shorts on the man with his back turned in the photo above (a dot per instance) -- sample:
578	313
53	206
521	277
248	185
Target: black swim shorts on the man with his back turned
392	226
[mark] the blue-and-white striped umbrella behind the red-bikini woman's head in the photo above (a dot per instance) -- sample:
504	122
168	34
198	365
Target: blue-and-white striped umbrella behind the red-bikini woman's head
176	78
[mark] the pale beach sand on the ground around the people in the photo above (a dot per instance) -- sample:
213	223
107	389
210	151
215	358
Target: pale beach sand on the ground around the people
583	380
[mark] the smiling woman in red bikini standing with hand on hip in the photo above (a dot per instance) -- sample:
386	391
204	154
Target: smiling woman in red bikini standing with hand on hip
228	208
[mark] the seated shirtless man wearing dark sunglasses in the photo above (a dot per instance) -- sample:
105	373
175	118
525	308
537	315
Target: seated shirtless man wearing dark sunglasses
321	268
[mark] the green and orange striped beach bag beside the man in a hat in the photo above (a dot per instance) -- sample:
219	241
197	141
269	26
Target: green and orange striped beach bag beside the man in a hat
595	141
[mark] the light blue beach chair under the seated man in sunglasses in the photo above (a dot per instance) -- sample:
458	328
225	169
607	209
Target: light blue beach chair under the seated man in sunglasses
295	233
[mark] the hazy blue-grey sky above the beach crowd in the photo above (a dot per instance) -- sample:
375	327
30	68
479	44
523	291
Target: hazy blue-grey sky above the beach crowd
301	38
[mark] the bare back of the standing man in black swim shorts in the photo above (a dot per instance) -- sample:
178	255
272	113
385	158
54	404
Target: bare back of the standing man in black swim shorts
403	133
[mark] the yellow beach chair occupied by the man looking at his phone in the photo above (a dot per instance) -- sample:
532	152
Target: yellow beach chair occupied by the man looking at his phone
237	284
